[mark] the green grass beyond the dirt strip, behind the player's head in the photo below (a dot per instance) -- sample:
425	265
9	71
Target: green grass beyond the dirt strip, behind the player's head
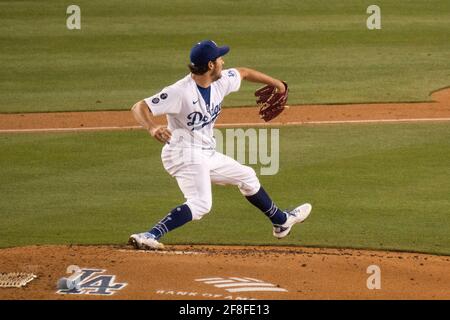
128	50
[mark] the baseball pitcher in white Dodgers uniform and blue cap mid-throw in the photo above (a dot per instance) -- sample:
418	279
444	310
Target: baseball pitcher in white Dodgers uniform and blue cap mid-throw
192	106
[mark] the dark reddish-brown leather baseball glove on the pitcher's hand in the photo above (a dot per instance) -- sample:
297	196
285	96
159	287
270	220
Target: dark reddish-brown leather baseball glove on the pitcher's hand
270	101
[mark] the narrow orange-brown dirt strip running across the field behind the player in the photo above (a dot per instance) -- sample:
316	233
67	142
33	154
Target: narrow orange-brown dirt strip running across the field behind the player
438	109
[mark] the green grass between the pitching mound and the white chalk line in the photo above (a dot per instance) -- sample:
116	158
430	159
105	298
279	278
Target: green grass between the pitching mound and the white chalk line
371	186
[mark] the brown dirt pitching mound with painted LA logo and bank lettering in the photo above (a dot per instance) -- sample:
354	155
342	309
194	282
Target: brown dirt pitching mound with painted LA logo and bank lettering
218	272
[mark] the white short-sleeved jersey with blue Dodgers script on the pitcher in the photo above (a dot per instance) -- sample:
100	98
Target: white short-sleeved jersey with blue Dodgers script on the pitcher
189	118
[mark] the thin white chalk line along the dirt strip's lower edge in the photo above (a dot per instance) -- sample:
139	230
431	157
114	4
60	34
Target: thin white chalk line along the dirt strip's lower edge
225	125
